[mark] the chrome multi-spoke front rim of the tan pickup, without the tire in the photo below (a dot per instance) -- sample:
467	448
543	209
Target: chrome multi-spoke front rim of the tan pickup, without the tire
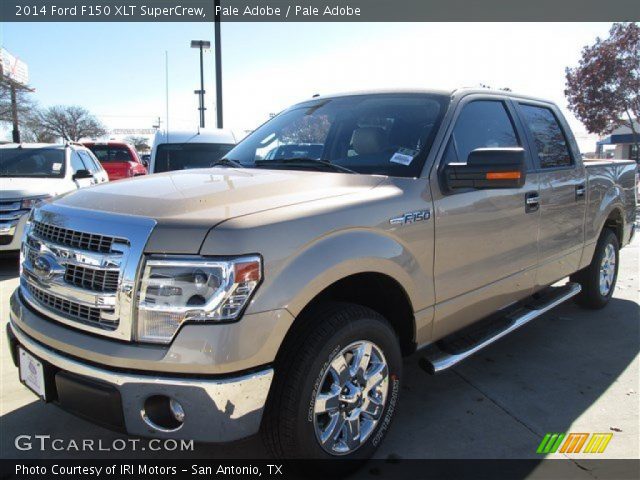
351	398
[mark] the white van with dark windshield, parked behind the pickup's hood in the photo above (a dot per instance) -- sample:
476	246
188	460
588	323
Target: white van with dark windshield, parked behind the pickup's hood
183	150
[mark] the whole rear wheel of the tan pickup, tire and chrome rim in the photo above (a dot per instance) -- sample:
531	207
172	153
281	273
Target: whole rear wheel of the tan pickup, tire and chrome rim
598	280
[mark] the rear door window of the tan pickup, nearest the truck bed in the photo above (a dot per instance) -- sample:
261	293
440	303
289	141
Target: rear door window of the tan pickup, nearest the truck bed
553	150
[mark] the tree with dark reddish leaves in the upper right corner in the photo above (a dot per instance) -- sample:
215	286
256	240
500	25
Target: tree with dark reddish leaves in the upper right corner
604	89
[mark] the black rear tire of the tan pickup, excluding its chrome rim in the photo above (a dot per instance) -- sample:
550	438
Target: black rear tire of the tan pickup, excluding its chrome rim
589	278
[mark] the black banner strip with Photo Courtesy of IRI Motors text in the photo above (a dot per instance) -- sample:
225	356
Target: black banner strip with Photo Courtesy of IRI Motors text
565	469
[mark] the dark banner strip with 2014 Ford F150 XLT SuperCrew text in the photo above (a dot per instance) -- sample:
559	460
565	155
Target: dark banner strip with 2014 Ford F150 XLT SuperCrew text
317	10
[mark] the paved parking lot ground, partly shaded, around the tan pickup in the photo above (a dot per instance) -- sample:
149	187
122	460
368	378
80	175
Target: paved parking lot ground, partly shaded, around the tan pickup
571	370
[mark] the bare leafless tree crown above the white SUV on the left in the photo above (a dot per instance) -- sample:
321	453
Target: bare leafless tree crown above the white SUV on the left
69	122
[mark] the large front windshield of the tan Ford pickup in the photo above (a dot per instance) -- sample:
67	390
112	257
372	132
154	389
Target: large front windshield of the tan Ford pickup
385	134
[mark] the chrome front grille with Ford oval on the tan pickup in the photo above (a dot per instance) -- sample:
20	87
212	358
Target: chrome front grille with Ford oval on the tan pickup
79	267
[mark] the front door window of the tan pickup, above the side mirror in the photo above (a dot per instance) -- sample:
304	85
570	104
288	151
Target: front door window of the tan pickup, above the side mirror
481	124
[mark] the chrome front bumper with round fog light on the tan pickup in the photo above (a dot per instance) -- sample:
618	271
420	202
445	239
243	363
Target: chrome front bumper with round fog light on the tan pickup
215	409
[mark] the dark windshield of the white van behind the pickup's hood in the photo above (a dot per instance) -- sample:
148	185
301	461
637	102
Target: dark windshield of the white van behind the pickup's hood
183	156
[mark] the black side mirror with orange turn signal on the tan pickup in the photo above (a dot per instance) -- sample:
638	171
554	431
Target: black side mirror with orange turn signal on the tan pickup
488	168
